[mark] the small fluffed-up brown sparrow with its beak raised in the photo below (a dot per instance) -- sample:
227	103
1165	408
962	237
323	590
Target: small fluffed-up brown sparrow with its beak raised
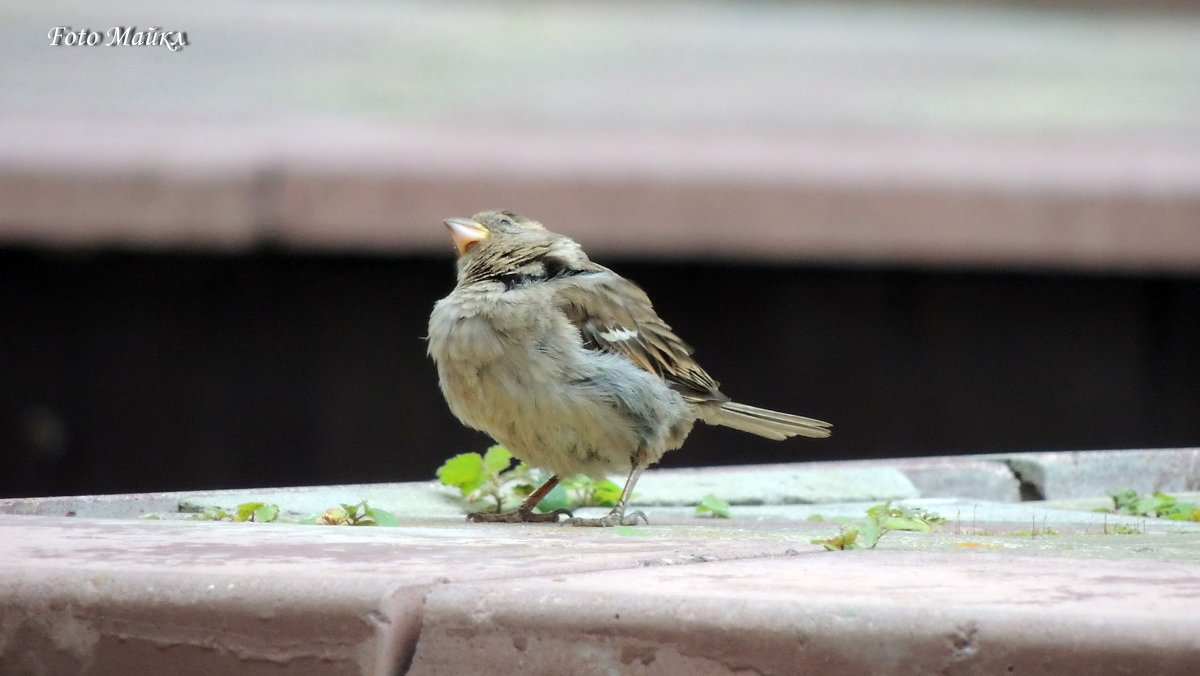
567	364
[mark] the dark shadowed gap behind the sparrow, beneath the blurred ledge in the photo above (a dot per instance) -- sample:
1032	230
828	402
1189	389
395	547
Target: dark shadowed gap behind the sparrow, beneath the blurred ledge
141	373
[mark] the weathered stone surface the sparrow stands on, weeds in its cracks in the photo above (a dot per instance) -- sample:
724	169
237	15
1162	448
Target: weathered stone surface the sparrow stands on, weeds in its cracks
1025	588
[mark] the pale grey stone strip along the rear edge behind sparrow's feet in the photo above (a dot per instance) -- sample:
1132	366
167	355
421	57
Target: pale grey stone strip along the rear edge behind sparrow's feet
983	478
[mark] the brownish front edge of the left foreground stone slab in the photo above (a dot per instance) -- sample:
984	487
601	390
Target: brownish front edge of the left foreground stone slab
163	621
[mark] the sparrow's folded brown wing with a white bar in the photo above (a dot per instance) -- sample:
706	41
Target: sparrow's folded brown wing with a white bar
614	315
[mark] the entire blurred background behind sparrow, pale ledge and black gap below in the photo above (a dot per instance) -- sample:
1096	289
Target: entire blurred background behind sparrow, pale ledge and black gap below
947	228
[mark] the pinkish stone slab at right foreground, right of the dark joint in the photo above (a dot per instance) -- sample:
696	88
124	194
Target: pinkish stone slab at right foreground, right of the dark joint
851	613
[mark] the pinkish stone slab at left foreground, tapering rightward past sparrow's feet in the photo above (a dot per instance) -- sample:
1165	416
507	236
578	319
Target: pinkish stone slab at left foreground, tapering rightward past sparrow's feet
91	596
